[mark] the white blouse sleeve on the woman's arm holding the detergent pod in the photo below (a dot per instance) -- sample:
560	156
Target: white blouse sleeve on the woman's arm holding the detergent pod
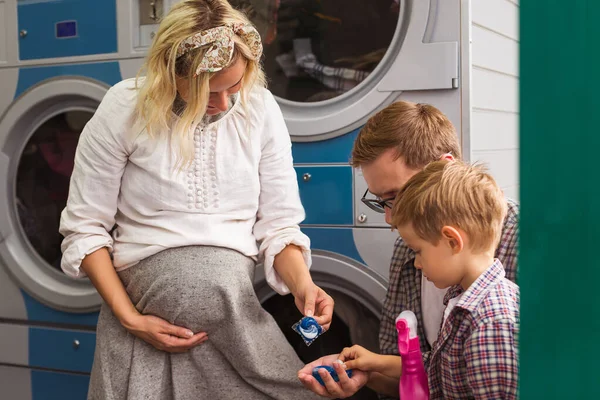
280	210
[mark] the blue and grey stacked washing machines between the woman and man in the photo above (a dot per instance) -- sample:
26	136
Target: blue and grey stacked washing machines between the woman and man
331	65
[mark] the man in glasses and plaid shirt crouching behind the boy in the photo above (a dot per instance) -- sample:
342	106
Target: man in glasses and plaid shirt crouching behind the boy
394	145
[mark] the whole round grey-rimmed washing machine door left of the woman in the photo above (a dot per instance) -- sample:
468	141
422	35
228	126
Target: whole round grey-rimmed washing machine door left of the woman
38	138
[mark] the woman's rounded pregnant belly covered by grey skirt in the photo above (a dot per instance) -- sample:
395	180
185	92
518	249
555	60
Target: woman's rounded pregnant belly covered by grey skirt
197	287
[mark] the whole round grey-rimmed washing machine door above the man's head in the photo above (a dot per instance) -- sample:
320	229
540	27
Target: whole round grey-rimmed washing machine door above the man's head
334	63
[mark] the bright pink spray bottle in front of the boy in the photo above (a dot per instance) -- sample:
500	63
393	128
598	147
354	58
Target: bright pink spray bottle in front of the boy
413	382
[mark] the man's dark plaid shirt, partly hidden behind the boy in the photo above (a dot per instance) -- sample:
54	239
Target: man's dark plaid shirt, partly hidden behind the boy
404	291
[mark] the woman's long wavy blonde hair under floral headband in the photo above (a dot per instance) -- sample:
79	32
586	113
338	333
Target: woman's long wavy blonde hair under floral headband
158	90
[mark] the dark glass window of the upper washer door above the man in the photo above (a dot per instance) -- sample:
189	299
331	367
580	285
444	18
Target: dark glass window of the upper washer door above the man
316	50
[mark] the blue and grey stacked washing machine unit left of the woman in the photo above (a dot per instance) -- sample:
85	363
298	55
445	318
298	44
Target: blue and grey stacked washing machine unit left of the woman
57	60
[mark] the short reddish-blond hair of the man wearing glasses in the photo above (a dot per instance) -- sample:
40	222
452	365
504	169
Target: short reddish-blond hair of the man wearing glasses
420	133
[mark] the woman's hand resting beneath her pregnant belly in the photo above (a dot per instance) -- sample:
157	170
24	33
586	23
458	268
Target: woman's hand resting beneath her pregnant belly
163	335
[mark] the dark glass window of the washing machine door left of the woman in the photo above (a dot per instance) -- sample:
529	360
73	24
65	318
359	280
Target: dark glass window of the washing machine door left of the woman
42	185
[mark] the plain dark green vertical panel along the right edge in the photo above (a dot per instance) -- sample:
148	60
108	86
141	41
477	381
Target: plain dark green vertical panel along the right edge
560	199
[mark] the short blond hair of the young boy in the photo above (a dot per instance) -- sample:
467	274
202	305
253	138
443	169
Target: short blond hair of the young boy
452	193
